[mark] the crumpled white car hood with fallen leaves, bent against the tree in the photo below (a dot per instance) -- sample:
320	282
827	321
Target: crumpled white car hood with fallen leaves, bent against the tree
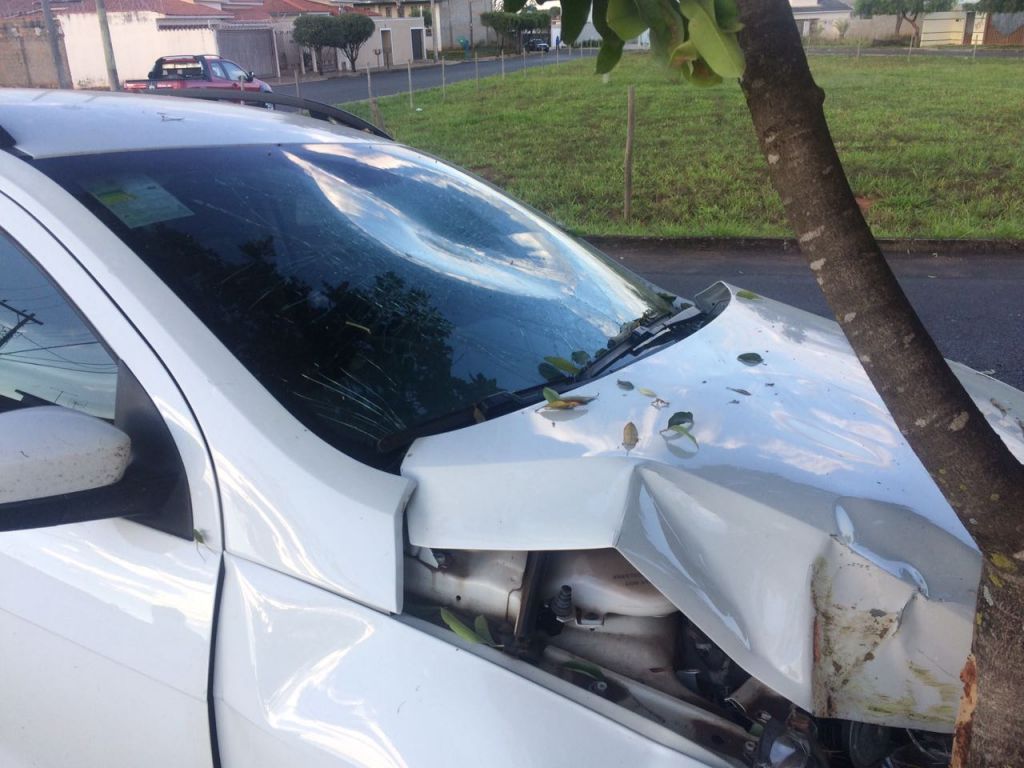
797	529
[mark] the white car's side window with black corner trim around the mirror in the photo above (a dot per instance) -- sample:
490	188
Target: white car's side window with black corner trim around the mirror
50	356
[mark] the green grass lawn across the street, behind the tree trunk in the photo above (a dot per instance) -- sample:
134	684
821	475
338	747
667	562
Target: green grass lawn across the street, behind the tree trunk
934	147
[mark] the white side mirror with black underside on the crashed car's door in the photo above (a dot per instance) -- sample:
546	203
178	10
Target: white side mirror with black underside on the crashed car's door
51	458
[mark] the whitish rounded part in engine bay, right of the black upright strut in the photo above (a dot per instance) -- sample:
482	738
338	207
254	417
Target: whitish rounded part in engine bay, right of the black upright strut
604	582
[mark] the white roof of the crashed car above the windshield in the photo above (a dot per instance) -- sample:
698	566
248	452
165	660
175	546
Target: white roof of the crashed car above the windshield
54	123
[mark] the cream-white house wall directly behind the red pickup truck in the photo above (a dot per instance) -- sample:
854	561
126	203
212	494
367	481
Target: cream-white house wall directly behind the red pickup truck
138	44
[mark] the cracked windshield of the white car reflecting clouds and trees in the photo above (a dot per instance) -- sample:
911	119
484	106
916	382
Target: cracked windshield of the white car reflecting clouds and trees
373	291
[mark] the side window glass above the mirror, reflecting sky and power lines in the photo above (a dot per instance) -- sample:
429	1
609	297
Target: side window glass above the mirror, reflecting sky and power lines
48	354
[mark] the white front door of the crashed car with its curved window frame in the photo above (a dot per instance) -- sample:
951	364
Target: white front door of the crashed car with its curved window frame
116	618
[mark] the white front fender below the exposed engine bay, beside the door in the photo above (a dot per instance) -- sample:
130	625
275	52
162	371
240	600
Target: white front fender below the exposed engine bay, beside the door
306	678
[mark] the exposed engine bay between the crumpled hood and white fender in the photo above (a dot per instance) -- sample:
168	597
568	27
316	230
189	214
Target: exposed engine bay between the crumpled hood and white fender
591	619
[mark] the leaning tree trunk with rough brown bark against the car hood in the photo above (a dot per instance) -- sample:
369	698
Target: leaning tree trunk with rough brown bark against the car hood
978	476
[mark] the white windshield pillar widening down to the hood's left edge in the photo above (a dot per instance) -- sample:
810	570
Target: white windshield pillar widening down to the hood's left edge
289	500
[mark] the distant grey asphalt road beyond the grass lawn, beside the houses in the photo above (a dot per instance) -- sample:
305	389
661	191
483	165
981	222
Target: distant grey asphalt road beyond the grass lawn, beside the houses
354	88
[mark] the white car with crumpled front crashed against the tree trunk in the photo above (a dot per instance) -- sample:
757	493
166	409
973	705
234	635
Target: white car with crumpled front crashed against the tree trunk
318	452
